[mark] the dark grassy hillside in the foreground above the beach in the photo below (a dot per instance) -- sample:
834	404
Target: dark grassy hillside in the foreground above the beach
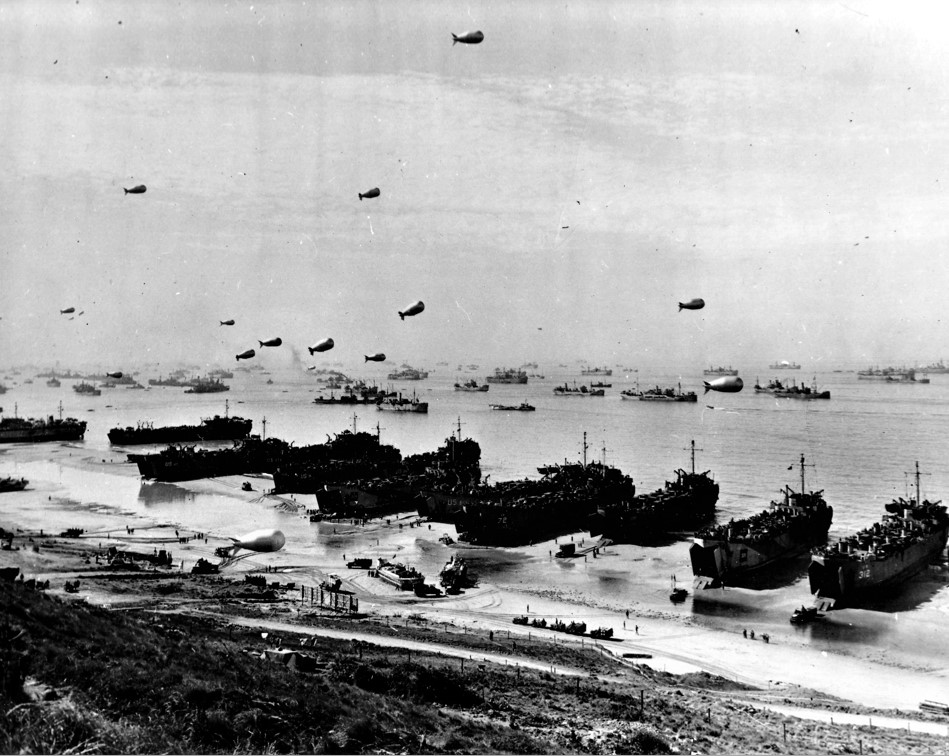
77	678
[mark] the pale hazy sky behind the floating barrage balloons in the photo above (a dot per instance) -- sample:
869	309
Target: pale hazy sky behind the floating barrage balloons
550	194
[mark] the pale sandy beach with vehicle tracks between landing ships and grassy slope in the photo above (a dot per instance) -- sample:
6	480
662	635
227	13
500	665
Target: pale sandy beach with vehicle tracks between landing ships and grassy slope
895	676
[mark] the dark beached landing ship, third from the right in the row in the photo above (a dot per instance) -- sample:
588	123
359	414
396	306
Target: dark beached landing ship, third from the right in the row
687	501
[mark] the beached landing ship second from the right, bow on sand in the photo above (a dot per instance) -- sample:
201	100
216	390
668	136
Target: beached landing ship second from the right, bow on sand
727	553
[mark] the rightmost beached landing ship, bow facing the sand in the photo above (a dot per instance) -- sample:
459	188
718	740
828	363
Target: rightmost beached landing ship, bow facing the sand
911	536
